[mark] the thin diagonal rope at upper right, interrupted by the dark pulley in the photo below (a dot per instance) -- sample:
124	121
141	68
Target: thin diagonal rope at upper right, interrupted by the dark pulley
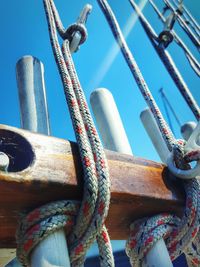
191	59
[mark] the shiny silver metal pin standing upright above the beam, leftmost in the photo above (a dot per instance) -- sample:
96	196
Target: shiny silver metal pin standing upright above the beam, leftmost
32	96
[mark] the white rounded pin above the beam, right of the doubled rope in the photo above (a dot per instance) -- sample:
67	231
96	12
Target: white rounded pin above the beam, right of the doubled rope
109	122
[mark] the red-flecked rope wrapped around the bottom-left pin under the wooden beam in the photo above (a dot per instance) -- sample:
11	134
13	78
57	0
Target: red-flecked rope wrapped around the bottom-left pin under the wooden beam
39	223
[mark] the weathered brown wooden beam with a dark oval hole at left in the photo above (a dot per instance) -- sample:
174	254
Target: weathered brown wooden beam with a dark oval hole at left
44	169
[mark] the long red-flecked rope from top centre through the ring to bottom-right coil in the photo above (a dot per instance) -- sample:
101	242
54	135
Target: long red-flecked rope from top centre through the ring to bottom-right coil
183	232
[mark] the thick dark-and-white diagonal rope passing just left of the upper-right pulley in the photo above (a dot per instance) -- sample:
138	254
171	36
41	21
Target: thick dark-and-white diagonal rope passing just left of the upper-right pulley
168	62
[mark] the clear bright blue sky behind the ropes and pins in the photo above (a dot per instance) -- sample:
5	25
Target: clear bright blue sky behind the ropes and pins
24	32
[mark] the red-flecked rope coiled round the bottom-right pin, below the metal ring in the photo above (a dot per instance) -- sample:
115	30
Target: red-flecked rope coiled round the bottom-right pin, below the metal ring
180	235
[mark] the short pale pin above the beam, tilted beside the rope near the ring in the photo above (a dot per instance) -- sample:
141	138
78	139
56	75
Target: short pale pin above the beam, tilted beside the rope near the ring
153	132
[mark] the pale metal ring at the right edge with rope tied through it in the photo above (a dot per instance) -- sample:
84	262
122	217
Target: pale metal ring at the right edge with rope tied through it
184	174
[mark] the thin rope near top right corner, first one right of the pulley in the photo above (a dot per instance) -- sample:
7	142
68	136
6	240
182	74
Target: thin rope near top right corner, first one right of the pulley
183	25
